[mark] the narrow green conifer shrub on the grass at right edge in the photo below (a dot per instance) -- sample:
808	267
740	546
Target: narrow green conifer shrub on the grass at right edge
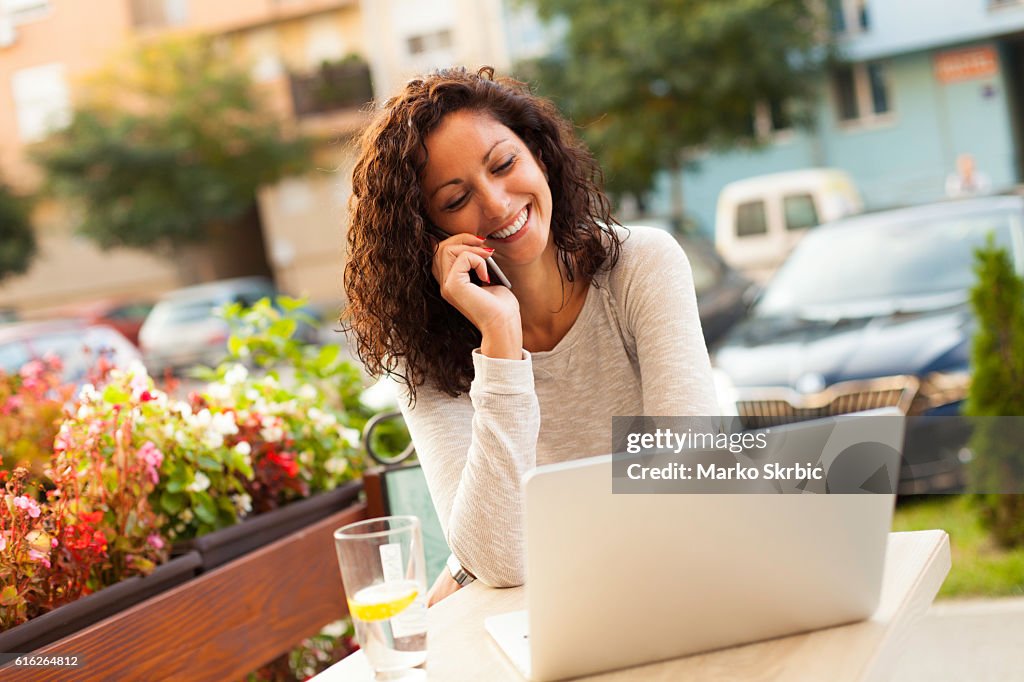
998	358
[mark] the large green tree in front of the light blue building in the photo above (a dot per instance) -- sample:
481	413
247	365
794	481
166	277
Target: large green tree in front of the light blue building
648	79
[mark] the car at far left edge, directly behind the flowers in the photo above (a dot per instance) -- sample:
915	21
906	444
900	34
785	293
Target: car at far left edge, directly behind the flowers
78	345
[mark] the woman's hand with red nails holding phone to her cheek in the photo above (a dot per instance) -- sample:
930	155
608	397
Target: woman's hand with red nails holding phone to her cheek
494	311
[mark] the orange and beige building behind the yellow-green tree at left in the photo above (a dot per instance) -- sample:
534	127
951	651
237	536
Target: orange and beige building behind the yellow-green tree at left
293	47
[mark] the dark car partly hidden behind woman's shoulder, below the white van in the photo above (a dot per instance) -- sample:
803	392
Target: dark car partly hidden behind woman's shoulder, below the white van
723	294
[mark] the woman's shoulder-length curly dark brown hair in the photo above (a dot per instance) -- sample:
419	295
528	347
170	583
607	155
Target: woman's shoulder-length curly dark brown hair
403	327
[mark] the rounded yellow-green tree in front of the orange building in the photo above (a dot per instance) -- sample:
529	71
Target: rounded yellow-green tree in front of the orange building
168	146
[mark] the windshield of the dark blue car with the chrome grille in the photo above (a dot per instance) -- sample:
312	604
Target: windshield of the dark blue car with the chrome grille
883	261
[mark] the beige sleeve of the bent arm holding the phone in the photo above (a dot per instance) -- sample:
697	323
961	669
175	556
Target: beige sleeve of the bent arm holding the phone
475	453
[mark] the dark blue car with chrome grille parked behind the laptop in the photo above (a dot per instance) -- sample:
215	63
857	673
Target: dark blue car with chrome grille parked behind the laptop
873	312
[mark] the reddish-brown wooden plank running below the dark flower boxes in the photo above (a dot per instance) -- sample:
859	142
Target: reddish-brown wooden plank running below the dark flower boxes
220	626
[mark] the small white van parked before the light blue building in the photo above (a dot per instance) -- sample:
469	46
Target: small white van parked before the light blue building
760	220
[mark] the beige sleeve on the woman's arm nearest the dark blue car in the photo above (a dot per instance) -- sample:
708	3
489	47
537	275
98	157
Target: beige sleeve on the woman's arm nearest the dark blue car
662	314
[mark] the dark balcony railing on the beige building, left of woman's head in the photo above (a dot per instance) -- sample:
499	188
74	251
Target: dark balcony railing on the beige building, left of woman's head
334	87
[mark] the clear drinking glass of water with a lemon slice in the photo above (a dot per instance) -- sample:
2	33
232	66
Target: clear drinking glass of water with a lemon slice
385	575
